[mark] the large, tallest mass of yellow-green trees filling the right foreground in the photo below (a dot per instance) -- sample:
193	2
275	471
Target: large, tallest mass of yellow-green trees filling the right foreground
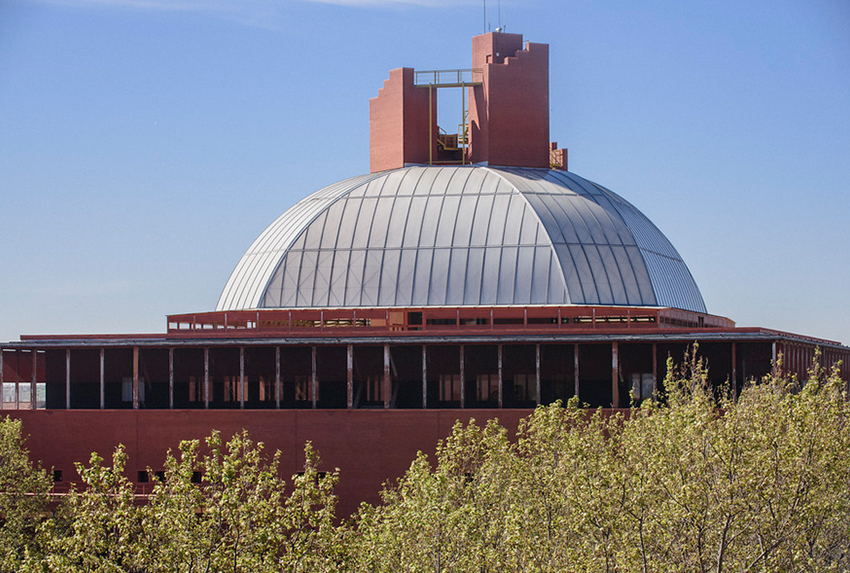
700	482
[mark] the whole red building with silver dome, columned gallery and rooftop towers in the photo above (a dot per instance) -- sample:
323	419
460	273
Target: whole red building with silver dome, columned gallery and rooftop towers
468	274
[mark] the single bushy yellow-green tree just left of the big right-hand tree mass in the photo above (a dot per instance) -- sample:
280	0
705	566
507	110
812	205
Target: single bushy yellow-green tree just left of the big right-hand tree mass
228	511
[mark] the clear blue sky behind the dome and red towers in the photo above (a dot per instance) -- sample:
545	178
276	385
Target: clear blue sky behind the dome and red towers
145	143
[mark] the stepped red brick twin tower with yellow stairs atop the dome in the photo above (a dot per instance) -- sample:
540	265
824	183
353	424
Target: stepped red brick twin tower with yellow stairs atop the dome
505	111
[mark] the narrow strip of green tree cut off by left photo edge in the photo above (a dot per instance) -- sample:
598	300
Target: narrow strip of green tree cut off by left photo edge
23	498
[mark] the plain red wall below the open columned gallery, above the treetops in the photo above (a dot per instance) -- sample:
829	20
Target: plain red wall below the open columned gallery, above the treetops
368	446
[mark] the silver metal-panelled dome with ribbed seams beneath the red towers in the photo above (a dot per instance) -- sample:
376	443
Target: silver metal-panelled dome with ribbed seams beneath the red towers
463	235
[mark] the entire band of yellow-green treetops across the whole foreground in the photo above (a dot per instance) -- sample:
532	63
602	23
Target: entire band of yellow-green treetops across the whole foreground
697	481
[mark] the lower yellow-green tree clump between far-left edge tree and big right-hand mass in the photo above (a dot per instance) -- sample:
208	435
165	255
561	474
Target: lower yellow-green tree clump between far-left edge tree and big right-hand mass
224	511
